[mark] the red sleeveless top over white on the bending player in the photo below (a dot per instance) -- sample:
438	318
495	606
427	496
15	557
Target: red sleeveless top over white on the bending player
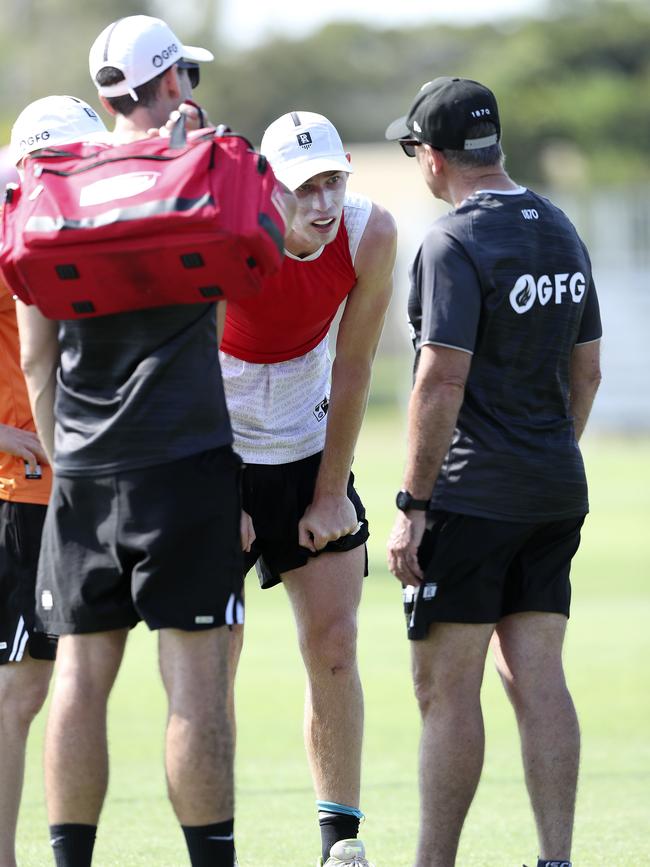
294	310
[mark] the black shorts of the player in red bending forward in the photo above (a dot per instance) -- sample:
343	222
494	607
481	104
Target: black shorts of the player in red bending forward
276	497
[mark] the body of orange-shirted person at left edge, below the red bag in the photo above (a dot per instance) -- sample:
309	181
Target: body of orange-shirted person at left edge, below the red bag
25	655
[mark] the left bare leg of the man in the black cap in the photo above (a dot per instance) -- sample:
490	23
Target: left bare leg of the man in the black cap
447	673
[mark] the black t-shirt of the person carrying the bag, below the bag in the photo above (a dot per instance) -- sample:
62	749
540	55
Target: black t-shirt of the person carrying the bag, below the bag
138	389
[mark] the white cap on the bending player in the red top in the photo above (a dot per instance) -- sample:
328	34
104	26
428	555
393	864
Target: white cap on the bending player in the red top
302	144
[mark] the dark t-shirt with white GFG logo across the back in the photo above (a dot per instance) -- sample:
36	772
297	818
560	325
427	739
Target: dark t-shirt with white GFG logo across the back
506	278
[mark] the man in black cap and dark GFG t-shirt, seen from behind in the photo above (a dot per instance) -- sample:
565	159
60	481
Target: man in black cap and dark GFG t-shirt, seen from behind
506	330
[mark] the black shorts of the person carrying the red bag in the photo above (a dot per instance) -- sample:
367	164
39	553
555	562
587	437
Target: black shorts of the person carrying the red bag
159	544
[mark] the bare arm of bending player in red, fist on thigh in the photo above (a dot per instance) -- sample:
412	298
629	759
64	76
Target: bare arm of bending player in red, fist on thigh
331	514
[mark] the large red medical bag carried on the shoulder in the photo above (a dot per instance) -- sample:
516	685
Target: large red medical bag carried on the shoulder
98	229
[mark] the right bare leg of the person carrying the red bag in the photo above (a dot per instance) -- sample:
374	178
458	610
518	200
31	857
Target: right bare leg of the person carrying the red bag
199	753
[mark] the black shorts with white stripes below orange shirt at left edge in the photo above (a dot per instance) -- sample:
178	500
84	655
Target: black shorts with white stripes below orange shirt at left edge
21	525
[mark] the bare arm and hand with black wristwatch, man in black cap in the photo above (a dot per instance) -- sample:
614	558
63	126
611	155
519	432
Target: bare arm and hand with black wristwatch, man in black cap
435	402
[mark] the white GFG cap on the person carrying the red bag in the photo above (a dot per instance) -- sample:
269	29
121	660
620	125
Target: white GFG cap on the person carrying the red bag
141	47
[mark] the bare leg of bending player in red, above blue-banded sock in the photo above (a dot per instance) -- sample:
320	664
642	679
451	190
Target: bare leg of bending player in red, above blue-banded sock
325	595
